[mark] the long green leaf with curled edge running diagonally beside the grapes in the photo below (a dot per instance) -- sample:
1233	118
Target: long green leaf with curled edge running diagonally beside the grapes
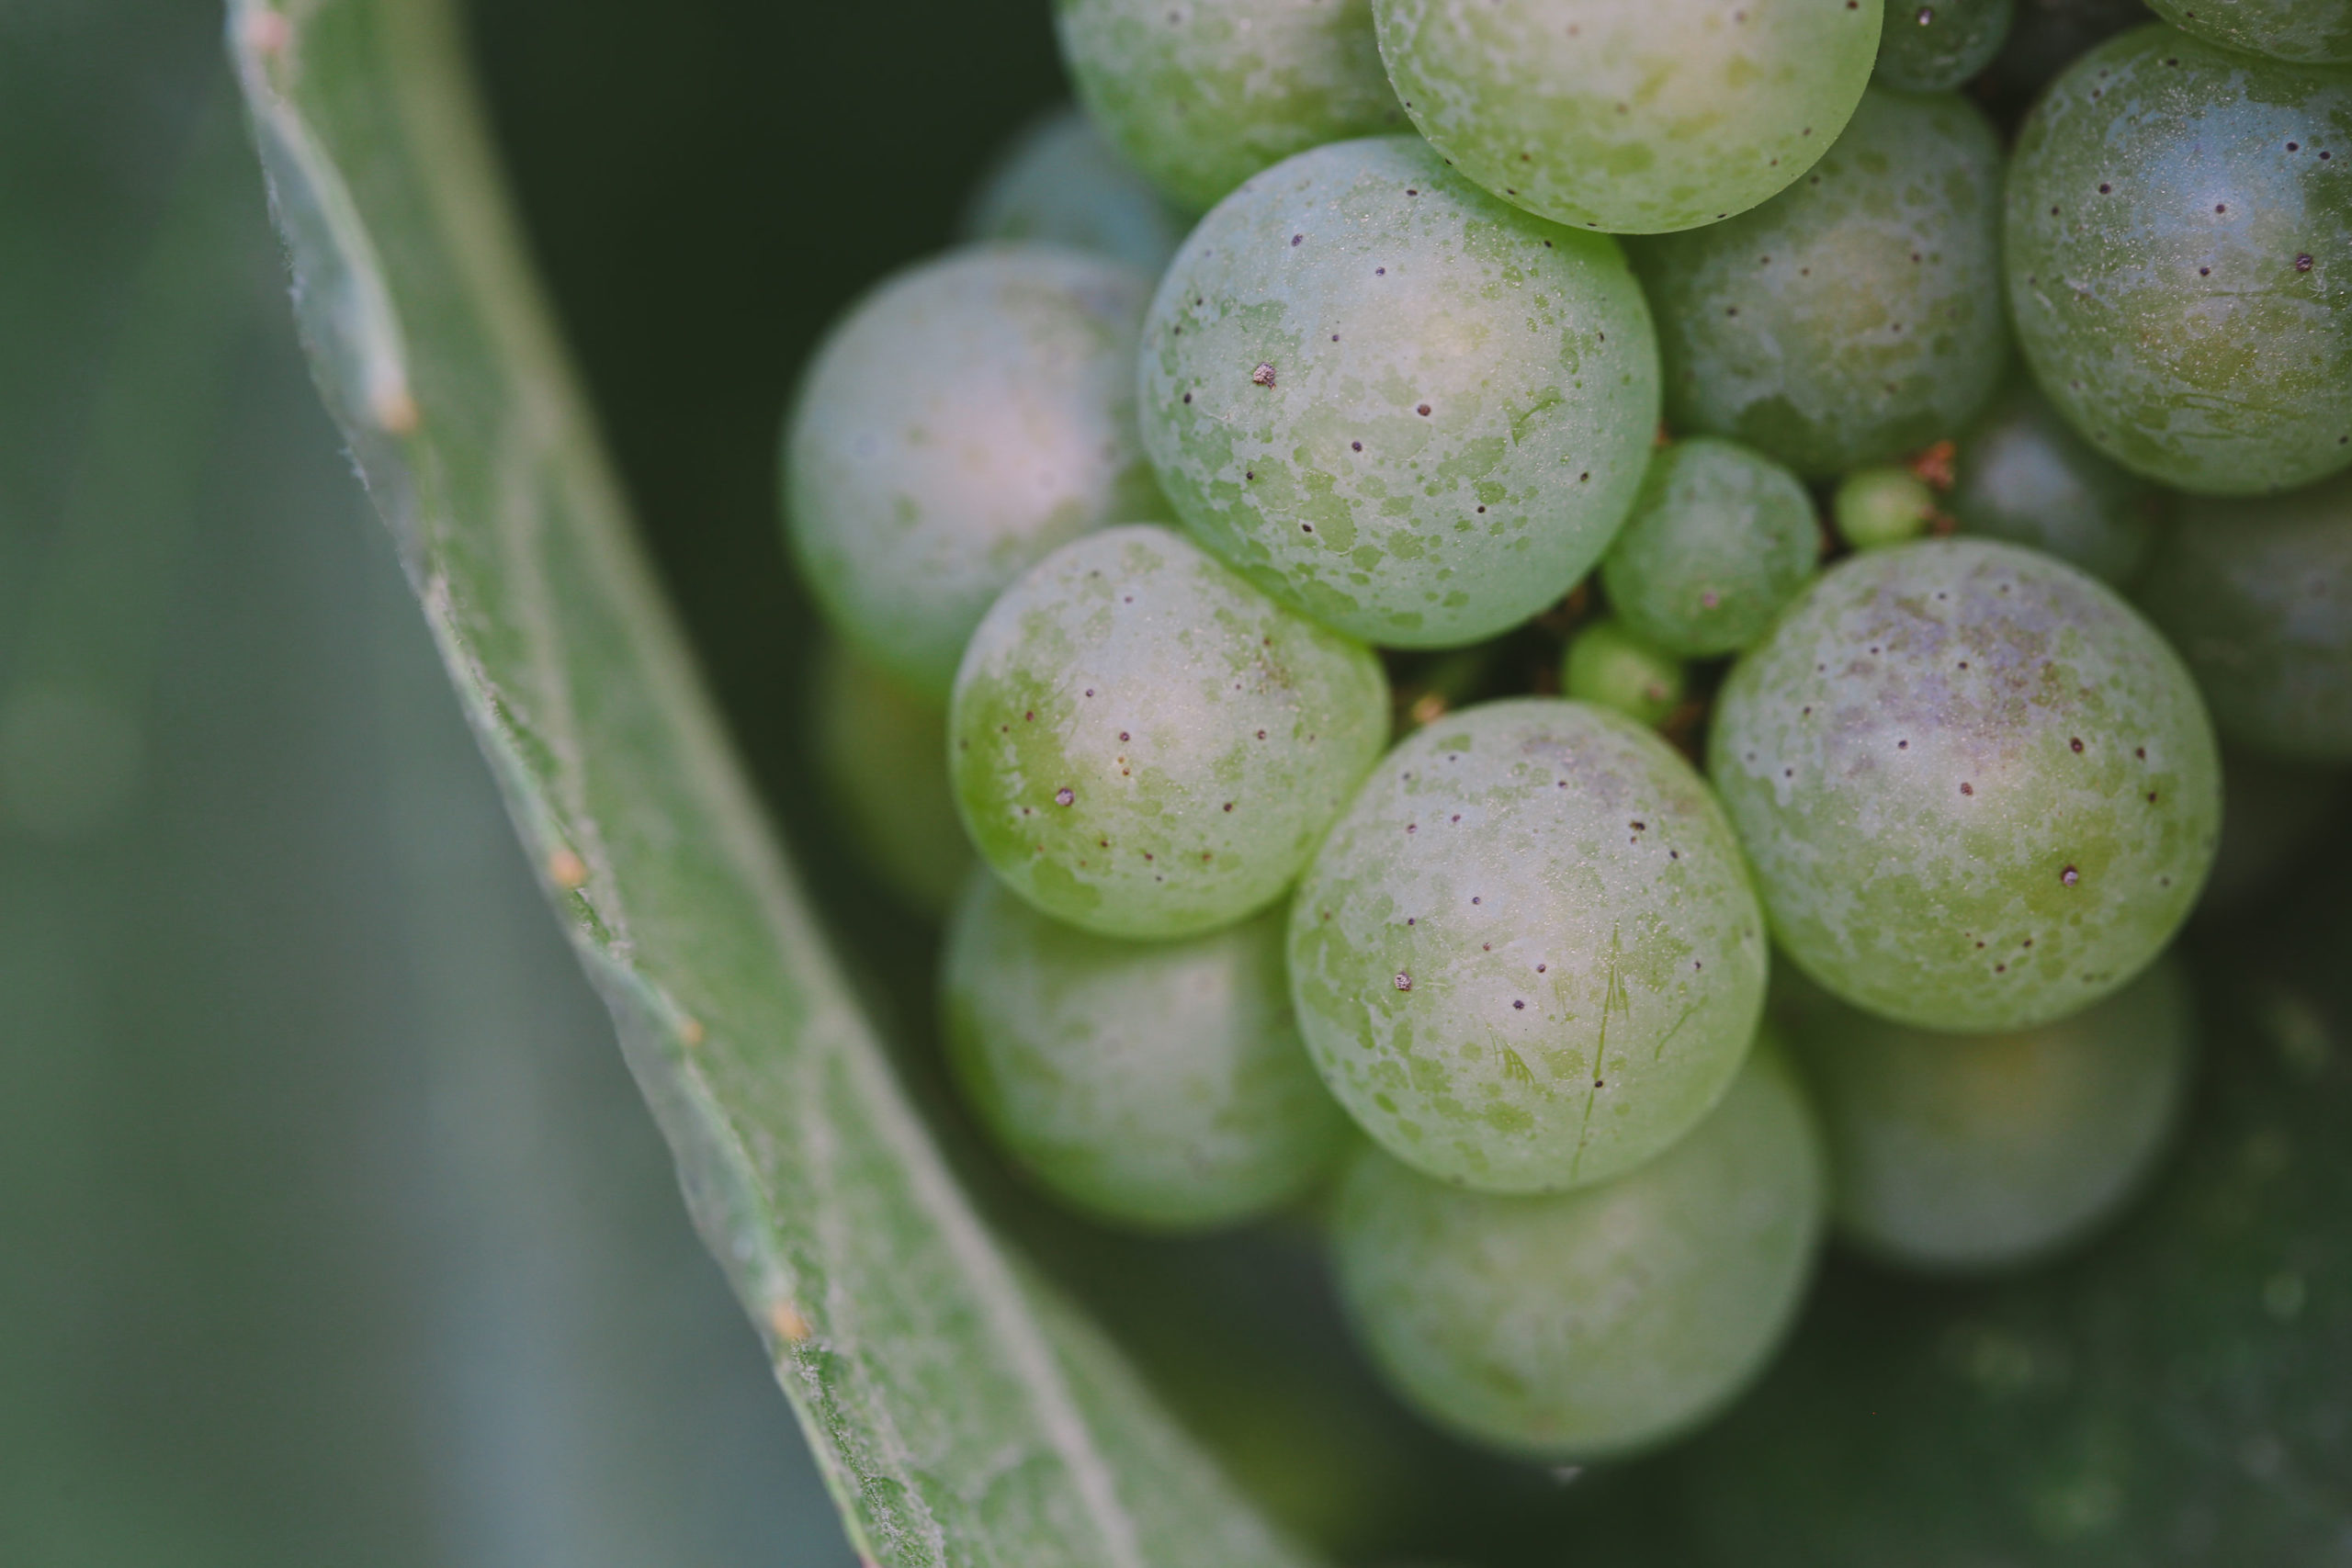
961	1409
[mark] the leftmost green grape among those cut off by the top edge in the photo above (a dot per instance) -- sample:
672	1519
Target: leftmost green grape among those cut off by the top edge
1205	93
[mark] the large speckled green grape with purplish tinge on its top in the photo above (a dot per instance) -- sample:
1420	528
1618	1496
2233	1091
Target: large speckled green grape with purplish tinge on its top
1977	789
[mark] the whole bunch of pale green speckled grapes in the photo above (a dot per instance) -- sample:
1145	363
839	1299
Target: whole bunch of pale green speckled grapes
1586	636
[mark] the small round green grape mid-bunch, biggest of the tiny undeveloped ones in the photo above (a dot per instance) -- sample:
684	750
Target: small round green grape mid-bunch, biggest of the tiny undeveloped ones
1718	542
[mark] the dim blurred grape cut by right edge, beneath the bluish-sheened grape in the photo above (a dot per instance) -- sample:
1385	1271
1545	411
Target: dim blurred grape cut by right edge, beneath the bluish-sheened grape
2259	601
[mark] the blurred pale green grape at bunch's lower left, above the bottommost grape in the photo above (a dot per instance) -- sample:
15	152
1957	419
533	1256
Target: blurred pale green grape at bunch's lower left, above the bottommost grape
1154	1085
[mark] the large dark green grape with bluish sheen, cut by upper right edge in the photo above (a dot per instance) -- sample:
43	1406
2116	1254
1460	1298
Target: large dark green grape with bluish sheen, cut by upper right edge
2181	262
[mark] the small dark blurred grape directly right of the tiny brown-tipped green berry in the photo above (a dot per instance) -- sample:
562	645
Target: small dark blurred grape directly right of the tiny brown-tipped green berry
2029	478
